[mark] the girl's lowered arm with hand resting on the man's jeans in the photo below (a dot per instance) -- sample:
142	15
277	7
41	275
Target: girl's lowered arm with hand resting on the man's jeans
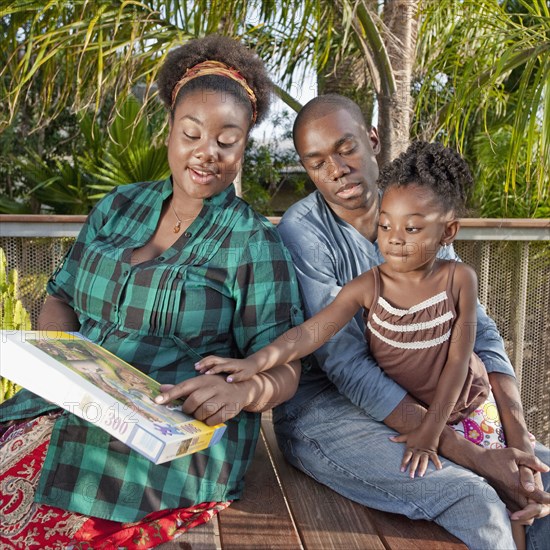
423	442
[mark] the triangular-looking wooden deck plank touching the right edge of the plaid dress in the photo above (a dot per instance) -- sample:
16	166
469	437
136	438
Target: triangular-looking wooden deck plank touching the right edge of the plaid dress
261	519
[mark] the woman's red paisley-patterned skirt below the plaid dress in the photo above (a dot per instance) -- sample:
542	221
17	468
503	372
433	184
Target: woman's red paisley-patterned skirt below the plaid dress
27	525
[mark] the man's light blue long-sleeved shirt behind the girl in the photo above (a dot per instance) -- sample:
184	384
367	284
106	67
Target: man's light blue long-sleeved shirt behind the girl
328	253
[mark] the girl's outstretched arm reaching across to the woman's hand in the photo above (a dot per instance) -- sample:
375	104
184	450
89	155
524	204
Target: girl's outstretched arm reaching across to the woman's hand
299	341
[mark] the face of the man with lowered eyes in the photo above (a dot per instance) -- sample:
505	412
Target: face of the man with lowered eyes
339	156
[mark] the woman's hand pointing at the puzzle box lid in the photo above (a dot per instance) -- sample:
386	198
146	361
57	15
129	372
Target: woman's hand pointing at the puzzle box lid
208	398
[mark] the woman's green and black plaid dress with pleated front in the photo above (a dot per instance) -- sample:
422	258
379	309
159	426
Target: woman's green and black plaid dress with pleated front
226	287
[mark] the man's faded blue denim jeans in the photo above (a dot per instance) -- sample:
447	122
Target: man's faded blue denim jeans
339	445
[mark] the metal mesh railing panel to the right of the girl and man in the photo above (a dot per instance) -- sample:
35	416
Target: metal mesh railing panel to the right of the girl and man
514	285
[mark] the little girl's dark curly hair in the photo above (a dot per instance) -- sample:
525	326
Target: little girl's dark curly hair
433	166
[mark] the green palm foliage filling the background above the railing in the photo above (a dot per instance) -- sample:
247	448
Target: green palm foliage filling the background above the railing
482	65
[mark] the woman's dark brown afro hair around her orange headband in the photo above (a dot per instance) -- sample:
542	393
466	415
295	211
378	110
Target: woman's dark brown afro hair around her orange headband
216	48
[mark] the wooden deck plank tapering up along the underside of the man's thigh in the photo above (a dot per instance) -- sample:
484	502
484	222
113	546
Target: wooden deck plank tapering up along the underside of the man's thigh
324	519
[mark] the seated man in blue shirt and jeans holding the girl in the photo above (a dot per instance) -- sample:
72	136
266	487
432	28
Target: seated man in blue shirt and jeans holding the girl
338	426
